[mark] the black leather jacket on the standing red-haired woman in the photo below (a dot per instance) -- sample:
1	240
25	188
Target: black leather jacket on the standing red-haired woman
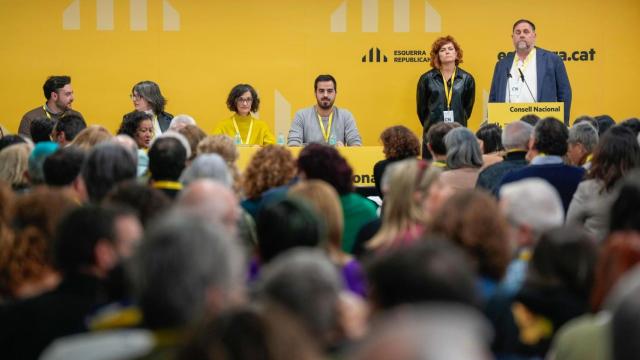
431	100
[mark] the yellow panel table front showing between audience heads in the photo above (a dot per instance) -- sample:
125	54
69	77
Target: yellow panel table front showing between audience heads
361	159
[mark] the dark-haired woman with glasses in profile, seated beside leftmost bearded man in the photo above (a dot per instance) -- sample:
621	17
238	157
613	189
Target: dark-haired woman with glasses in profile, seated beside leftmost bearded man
146	97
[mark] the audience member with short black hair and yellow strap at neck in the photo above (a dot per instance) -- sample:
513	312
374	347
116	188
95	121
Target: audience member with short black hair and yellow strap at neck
167	160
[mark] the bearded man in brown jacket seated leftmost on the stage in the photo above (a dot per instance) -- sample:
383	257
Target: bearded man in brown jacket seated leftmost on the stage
59	94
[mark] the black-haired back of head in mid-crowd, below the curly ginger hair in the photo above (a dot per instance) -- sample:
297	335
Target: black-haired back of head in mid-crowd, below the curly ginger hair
286	224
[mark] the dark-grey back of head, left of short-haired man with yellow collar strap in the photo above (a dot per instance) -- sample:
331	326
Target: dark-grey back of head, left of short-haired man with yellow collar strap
107	165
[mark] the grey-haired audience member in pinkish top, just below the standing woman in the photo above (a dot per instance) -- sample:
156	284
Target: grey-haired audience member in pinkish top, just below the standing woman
464	159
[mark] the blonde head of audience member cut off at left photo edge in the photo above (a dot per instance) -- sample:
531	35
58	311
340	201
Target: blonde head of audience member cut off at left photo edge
14	166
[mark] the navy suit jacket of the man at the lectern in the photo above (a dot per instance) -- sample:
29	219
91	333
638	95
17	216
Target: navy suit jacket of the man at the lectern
552	79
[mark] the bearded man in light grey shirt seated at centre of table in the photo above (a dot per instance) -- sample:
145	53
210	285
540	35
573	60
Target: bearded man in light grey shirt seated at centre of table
324	123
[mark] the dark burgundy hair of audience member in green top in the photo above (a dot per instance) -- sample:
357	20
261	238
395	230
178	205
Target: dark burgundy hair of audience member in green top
318	161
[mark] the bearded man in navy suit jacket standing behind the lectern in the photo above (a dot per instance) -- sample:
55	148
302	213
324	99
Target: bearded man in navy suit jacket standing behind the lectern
535	75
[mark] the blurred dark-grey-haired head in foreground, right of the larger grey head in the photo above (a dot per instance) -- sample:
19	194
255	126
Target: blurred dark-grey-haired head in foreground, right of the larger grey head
306	283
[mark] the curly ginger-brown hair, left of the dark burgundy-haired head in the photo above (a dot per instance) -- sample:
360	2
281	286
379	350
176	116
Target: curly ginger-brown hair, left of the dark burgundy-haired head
270	167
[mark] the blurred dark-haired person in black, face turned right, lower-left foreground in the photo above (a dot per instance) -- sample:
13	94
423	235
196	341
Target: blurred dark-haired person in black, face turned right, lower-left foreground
85	249
